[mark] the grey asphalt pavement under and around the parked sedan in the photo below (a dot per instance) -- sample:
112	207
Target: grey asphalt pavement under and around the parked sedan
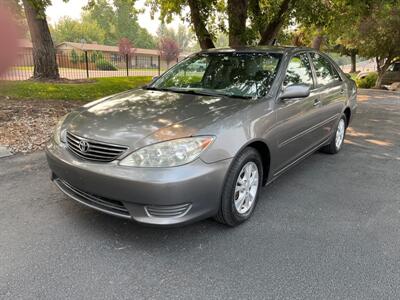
329	228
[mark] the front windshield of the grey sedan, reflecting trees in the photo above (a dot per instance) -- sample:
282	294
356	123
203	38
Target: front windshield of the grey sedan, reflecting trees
243	75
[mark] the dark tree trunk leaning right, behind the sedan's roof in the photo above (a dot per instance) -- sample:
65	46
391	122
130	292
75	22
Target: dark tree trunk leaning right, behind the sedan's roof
269	34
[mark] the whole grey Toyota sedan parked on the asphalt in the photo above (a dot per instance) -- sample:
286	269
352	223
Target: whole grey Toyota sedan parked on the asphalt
201	142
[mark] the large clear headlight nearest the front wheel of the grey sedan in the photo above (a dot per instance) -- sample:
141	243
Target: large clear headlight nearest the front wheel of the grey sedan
168	154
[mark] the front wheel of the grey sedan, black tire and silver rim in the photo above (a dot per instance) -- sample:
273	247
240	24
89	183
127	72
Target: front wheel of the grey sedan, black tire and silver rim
241	189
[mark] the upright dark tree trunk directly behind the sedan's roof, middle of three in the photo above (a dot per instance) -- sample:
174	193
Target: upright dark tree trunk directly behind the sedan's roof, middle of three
237	15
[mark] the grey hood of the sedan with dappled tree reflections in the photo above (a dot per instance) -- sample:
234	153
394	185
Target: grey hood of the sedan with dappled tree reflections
139	117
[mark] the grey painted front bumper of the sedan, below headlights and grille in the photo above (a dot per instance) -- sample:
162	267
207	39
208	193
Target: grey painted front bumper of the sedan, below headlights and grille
157	196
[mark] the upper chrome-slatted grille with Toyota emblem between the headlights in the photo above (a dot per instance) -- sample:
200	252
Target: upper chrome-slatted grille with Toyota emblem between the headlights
93	150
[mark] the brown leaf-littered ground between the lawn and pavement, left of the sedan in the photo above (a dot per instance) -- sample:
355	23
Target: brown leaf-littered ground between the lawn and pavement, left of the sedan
26	125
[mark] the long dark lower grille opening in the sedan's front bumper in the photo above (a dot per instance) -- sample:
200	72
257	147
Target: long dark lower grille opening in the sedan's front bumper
110	206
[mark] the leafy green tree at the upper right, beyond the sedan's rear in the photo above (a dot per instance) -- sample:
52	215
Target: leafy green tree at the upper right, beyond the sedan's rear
370	28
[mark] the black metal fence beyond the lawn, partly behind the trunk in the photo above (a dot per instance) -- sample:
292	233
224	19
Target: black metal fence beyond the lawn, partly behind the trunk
92	64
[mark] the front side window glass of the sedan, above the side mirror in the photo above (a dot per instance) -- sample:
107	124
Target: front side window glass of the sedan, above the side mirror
299	71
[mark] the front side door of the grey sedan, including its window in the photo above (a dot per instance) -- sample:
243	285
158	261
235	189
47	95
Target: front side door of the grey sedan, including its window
296	118
